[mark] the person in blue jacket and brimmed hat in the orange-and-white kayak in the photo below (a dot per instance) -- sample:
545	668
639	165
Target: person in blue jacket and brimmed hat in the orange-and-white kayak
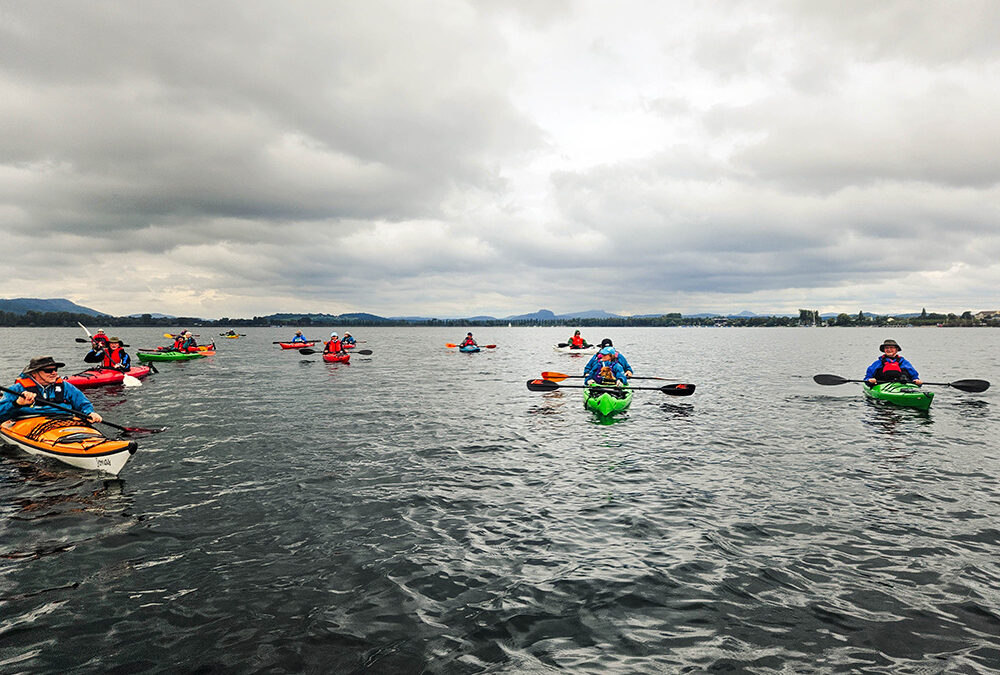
41	378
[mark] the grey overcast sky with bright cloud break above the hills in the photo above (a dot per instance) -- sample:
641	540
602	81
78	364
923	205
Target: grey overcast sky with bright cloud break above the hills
455	157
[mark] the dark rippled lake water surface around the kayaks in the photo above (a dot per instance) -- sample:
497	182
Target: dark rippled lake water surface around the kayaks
419	510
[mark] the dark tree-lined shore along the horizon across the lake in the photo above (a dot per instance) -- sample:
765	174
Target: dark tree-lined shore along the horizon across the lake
805	318
